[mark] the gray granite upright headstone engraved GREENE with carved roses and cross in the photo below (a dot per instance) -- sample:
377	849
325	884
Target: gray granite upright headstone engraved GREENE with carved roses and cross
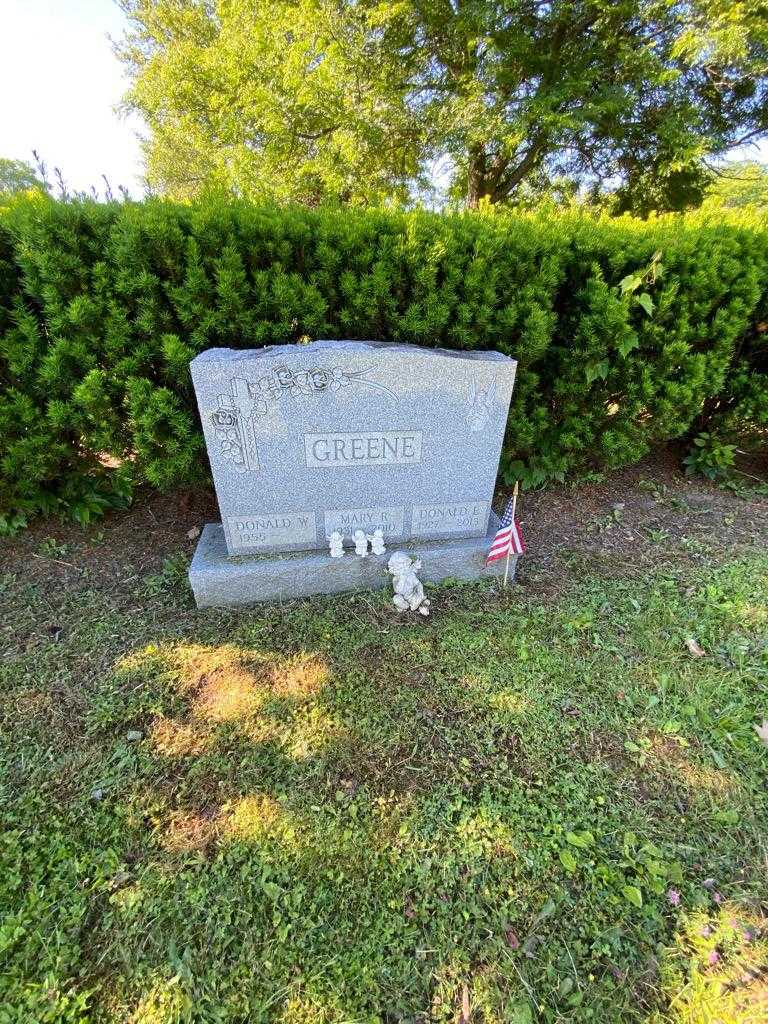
344	436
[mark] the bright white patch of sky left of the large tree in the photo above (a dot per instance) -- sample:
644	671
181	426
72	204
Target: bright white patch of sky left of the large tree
60	83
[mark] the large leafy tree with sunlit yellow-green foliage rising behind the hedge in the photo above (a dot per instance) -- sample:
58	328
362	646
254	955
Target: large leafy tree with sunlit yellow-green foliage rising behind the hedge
353	100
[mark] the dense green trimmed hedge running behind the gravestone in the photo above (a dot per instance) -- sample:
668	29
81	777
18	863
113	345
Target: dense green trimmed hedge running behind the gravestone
103	307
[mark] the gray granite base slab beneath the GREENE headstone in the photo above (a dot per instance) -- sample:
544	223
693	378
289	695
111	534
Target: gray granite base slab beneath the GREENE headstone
222	581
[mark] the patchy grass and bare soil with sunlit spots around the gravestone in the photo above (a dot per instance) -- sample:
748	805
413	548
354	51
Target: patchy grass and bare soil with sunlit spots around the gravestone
540	804
